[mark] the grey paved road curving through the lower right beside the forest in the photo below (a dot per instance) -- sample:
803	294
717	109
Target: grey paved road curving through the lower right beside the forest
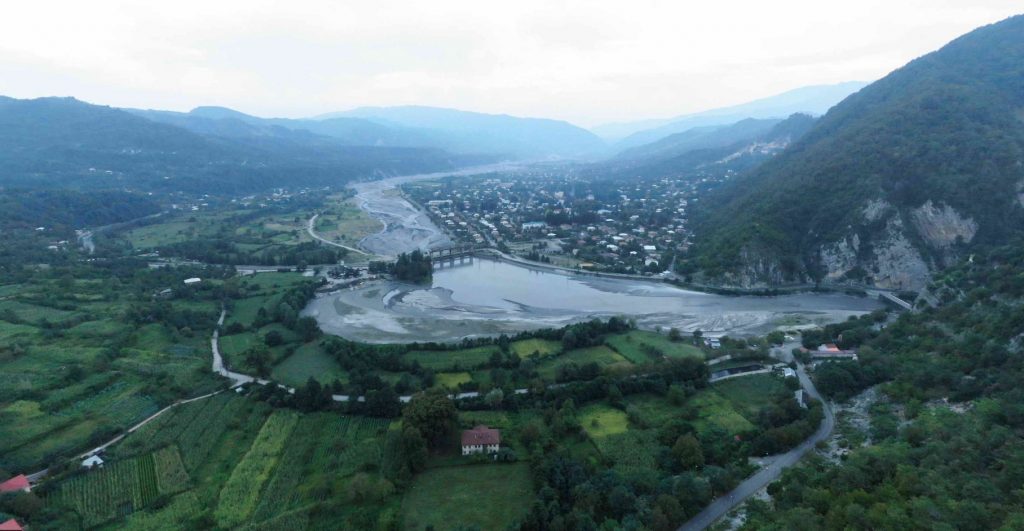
748	489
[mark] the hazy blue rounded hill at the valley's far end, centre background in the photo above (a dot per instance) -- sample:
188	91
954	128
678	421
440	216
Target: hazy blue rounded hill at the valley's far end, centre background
461	131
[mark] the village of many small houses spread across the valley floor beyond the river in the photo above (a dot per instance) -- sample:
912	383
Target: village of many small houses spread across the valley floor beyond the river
624	227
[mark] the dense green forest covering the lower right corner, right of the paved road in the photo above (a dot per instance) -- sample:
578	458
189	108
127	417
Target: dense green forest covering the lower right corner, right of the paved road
949	452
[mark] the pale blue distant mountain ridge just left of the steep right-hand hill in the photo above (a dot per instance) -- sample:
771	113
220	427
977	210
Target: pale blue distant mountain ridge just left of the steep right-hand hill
816	101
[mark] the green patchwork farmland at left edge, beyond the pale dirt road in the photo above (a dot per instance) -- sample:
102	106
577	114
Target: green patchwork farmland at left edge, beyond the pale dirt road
81	370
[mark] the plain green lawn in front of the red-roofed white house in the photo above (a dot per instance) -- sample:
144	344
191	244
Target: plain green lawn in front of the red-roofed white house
487	497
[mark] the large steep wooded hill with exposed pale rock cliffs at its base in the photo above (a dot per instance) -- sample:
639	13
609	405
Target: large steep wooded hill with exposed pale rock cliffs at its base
893	183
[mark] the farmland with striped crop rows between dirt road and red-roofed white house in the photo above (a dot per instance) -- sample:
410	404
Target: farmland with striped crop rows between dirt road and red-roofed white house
228	461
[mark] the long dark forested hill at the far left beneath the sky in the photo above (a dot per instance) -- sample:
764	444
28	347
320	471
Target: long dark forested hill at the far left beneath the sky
64	143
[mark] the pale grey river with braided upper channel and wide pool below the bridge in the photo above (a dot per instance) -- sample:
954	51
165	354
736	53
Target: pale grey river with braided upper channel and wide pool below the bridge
480	297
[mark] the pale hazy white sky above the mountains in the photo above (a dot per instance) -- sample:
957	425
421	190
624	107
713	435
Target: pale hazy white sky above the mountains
587	62
